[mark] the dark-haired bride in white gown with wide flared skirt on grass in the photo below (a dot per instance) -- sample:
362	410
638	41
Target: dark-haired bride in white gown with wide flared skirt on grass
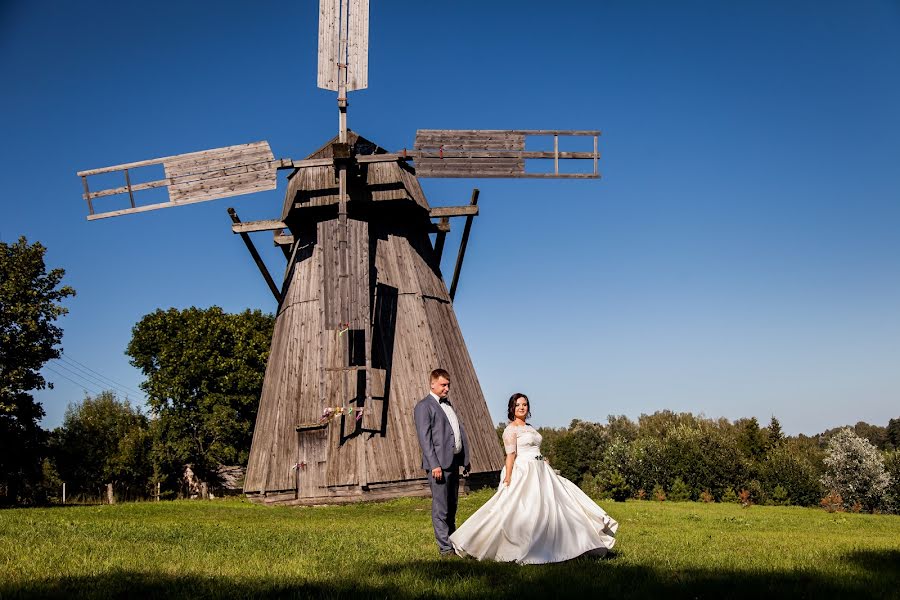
536	516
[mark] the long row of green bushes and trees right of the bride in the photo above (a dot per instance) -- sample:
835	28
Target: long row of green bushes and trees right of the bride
682	456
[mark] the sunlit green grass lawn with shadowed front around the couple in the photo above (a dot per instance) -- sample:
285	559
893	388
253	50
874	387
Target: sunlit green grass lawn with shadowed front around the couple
232	548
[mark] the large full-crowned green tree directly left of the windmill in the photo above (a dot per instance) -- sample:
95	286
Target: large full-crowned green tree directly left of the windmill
204	371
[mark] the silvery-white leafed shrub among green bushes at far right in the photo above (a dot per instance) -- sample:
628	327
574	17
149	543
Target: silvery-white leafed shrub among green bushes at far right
854	468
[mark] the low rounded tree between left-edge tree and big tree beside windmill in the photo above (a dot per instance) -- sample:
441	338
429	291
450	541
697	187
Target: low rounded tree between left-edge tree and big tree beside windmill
104	440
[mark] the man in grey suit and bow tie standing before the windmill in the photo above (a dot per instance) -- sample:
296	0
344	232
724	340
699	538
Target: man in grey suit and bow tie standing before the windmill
444	450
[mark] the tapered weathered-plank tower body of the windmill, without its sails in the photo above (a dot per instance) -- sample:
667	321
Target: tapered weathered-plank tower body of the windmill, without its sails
316	362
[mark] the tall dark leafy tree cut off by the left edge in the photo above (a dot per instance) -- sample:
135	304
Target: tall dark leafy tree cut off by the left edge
30	304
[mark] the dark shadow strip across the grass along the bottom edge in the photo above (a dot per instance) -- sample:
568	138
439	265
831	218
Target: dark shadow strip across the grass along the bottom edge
877	577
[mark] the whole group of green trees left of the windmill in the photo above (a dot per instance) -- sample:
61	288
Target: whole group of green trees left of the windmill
203	372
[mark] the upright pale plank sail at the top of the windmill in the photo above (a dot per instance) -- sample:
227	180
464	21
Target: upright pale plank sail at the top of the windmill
343	39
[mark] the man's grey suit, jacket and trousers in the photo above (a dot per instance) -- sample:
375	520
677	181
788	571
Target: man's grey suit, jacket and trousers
437	442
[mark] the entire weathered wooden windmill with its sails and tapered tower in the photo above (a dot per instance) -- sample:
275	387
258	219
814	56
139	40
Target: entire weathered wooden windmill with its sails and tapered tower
363	312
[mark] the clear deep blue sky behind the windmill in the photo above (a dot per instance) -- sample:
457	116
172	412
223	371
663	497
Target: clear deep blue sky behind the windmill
740	256
